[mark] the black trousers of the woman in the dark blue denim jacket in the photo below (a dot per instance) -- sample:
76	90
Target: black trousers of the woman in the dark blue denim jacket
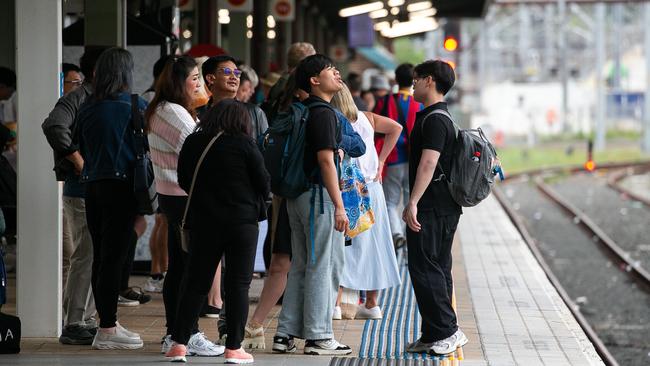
110	212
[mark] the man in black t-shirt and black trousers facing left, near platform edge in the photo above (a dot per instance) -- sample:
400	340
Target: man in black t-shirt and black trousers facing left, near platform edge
431	214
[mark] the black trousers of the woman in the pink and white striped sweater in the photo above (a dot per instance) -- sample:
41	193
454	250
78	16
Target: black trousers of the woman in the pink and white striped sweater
173	208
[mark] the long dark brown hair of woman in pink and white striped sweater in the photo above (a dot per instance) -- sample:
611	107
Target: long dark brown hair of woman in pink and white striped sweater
170	85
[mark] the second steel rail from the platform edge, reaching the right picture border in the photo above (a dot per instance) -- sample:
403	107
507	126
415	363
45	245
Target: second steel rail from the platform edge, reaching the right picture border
607	242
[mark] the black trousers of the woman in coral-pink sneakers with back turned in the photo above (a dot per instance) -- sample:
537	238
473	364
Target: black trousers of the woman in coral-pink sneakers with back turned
207	244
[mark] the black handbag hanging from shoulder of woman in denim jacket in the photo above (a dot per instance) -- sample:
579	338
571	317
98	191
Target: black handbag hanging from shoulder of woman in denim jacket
144	186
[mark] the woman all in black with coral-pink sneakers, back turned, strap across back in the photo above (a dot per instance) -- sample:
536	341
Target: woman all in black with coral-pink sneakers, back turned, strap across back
224	210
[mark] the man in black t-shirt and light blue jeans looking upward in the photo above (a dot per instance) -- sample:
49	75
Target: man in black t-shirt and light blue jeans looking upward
318	220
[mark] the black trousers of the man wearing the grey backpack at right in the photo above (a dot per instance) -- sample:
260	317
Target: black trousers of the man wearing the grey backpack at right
429	262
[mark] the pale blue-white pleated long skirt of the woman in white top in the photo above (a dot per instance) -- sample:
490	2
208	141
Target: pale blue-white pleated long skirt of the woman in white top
370	262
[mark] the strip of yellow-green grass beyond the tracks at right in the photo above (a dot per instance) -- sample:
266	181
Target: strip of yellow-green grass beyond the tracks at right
519	159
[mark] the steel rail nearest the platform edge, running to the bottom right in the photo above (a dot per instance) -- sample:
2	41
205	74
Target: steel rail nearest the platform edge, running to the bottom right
598	344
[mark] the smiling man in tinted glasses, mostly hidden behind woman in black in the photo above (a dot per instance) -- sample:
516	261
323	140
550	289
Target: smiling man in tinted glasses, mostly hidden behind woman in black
222	78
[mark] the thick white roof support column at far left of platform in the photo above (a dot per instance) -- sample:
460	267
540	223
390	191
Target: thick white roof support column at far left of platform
38	61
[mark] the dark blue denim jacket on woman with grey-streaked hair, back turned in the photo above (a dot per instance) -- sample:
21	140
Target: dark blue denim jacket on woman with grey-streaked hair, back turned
106	138
